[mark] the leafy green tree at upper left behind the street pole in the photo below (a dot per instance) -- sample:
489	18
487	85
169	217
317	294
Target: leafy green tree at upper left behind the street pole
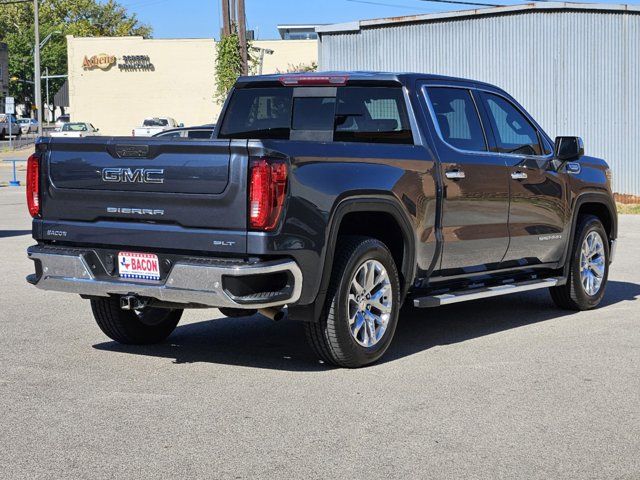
81	18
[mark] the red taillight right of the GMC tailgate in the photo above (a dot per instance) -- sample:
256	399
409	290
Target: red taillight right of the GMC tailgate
267	190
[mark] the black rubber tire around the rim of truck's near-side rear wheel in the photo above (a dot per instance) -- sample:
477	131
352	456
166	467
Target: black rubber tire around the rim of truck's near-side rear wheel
330	337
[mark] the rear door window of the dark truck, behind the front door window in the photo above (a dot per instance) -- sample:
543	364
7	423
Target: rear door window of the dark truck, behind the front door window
458	118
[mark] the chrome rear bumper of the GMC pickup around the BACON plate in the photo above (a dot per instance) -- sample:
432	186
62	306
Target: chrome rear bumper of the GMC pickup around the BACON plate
202	282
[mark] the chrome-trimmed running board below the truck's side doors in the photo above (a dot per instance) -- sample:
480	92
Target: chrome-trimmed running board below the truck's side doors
483	292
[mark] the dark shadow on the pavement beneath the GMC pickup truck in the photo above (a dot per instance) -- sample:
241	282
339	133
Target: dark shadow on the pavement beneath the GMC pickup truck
260	343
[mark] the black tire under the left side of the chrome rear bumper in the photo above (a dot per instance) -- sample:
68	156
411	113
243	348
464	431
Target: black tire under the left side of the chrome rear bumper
150	325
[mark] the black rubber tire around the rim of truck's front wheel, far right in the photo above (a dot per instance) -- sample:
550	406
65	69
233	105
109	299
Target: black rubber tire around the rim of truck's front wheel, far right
572	295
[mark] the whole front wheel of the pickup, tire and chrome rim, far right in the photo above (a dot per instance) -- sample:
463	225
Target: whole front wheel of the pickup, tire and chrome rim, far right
589	269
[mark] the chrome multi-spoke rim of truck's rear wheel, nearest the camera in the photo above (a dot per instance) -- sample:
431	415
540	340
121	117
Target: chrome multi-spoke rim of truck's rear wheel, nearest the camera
370	303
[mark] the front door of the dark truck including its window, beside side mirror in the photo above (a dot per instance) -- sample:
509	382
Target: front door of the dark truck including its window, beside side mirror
537	213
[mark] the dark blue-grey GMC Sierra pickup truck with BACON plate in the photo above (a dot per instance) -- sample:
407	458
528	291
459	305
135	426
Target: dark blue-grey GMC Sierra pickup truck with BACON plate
341	196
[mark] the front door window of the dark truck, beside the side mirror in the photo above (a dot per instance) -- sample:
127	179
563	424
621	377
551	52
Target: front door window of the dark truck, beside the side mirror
513	132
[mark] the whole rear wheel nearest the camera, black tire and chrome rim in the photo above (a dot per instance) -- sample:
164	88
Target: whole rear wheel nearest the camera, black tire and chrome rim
363	301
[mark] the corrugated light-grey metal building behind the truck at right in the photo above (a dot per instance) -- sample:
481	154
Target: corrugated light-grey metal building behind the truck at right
575	67
